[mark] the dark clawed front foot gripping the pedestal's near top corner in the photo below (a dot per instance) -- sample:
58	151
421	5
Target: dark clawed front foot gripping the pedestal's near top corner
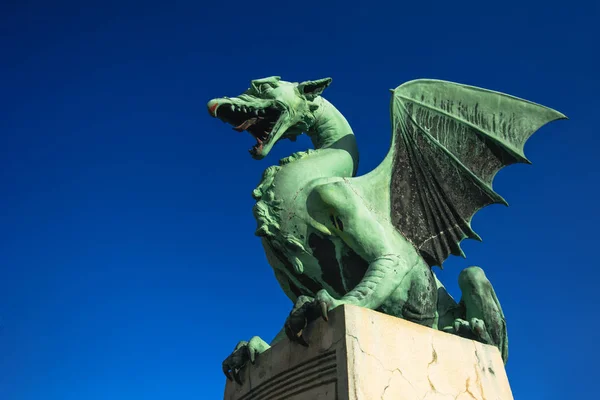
307	309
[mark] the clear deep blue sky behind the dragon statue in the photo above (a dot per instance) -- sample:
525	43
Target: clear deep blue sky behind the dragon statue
128	265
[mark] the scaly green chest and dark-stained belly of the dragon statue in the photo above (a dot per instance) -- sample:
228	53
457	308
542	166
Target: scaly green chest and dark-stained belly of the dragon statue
304	259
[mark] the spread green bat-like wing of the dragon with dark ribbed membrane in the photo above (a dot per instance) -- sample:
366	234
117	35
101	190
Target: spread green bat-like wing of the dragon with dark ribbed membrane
449	140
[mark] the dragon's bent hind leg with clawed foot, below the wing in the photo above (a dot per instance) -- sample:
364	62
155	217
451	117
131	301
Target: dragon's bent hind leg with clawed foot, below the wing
483	318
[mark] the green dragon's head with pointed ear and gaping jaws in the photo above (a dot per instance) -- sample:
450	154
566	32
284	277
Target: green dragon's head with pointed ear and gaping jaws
271	110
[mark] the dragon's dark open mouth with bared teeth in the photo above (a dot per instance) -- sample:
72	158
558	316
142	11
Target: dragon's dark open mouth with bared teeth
258	121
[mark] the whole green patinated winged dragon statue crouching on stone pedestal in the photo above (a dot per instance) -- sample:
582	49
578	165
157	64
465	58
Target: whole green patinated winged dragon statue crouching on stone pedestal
335	238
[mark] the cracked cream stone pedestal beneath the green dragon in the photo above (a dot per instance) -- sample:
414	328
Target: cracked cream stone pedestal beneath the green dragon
362	355
